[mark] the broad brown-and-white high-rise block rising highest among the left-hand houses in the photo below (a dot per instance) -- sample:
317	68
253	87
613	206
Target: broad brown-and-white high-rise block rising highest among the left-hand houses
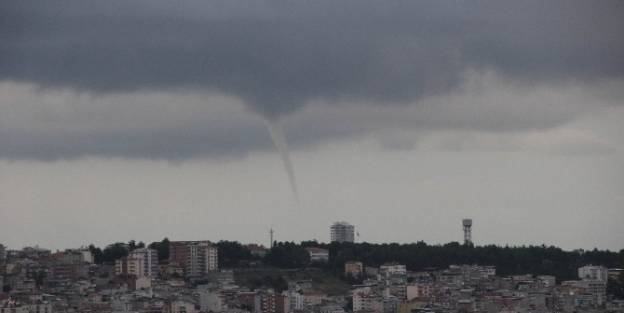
195	257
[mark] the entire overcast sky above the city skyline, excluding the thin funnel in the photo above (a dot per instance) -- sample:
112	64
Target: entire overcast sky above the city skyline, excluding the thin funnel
139	119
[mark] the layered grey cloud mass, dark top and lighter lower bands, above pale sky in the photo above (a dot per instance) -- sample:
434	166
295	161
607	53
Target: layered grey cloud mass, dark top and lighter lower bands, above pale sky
278	57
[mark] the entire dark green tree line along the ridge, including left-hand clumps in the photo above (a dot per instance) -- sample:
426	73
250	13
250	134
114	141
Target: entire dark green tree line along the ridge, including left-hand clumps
416	256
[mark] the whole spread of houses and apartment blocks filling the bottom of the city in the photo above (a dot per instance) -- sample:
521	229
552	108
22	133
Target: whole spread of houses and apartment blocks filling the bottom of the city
36	280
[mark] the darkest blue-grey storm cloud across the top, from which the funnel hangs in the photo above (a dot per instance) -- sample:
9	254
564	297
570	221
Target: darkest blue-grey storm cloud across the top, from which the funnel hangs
277	55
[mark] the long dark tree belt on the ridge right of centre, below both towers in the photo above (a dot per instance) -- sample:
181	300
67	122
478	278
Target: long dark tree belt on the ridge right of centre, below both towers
546	260
